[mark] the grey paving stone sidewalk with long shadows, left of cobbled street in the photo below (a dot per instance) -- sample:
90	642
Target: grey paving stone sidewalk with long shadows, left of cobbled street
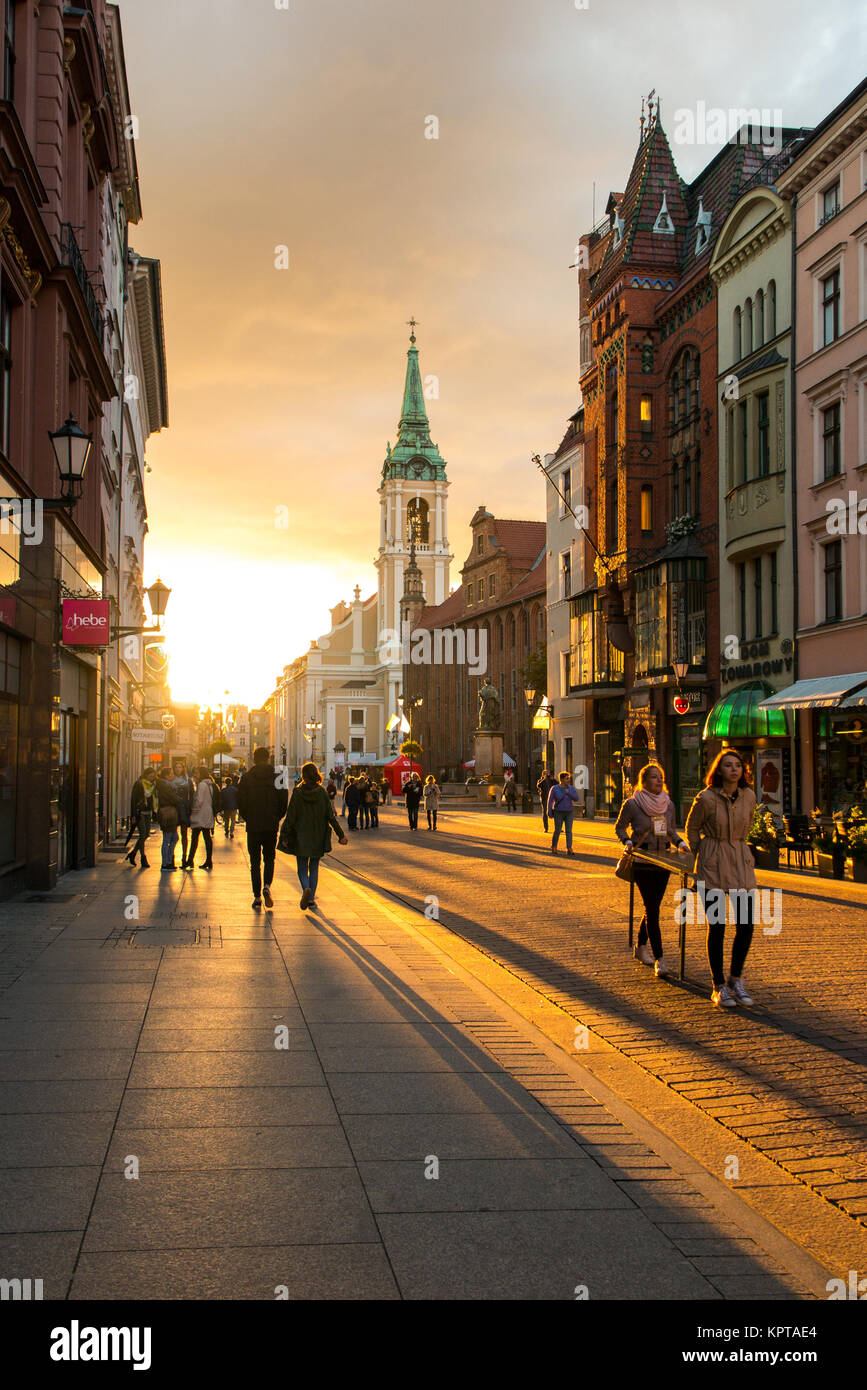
208	1103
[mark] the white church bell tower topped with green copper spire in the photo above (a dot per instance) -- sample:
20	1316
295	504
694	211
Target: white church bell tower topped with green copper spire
413	507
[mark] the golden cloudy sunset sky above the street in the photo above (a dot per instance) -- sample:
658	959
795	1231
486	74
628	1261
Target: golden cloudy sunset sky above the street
306	129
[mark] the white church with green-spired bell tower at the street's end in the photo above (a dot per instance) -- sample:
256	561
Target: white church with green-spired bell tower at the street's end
334	703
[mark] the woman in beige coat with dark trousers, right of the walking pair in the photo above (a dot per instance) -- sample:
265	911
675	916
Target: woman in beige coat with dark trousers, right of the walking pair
718	828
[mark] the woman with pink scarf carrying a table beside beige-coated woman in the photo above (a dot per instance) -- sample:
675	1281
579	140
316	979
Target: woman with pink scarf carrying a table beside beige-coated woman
650	815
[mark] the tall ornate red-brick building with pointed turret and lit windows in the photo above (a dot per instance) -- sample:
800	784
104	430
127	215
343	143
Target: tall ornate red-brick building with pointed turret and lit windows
650	387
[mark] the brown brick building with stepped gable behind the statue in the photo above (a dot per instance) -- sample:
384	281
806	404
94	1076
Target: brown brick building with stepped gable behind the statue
499	608
